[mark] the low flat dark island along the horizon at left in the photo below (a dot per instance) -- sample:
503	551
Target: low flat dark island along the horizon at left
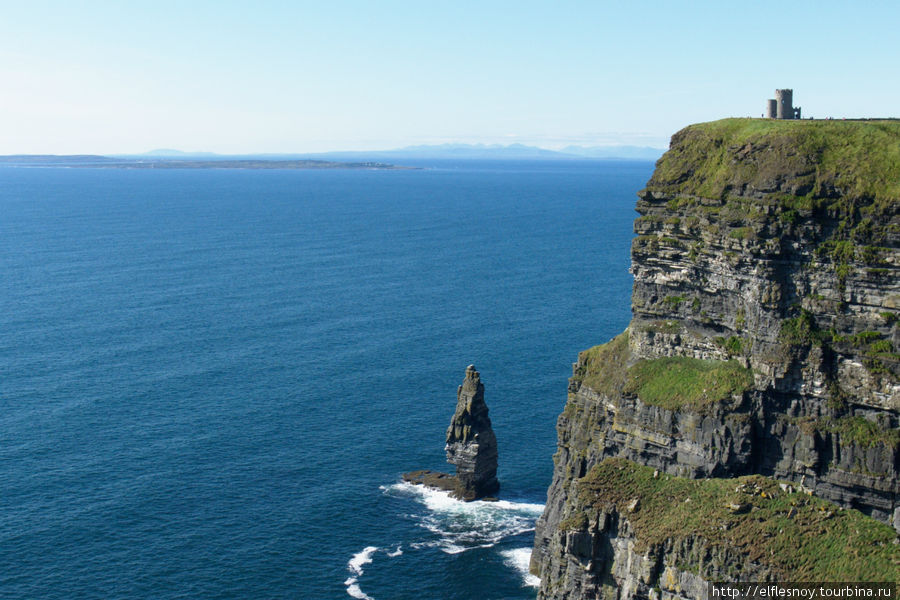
90	161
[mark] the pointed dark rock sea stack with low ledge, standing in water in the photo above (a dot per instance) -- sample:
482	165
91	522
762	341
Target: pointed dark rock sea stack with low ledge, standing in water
471	446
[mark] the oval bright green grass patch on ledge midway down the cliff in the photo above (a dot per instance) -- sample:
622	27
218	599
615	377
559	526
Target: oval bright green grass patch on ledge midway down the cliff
678	381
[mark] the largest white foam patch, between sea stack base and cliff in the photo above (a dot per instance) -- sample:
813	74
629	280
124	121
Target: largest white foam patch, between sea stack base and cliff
462	526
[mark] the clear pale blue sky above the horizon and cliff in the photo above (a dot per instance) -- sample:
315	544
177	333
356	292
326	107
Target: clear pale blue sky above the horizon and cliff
233	77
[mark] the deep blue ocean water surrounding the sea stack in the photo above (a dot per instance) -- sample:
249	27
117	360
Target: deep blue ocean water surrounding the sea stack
211	381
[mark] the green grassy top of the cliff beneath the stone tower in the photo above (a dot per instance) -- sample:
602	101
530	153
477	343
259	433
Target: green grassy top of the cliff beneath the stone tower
784	160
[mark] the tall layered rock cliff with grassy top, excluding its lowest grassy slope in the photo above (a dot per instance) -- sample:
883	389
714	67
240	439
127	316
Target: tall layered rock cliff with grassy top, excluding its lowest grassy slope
764	341
